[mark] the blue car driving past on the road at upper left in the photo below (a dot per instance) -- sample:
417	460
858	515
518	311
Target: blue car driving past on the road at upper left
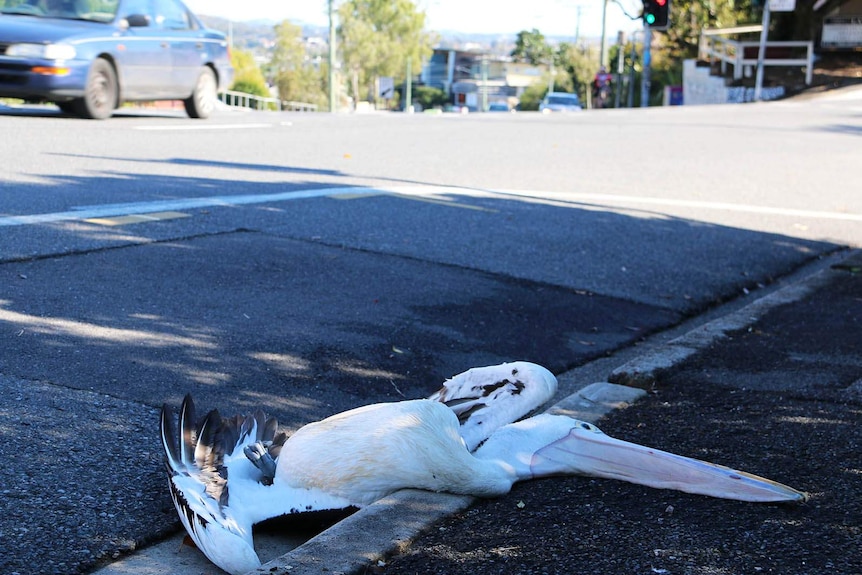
89	56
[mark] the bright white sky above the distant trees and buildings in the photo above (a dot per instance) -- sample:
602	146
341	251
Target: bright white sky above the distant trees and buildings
550	17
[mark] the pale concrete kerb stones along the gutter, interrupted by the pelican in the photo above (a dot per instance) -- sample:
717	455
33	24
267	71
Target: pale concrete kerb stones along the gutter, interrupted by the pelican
393	523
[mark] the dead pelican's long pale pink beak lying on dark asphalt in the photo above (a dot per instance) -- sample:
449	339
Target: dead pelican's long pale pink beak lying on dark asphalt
588	451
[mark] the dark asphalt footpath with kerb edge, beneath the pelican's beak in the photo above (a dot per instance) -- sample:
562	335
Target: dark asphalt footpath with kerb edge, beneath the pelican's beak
774	389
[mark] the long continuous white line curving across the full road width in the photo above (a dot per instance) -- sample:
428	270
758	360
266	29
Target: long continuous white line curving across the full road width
598	200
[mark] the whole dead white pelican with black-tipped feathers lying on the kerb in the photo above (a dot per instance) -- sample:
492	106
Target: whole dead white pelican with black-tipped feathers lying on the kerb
226	474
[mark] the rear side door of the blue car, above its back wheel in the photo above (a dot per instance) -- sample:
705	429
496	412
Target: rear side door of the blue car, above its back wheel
188	51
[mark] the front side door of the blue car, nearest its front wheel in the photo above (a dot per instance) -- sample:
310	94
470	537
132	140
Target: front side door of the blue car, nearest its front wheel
145	60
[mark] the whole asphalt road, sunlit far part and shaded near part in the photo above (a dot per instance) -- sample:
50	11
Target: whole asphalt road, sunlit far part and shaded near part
312	263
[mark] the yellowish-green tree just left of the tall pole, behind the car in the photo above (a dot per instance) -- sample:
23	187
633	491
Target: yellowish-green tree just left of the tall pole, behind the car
296	78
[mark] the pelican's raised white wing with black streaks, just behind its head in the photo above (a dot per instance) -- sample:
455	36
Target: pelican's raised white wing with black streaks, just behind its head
487	398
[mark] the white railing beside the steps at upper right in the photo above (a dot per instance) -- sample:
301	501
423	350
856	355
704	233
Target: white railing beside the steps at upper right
739	54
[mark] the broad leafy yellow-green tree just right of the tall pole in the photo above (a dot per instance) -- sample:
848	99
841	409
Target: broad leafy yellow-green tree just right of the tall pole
376	37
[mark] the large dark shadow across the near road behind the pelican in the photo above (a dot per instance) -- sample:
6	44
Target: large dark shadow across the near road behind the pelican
308	307
